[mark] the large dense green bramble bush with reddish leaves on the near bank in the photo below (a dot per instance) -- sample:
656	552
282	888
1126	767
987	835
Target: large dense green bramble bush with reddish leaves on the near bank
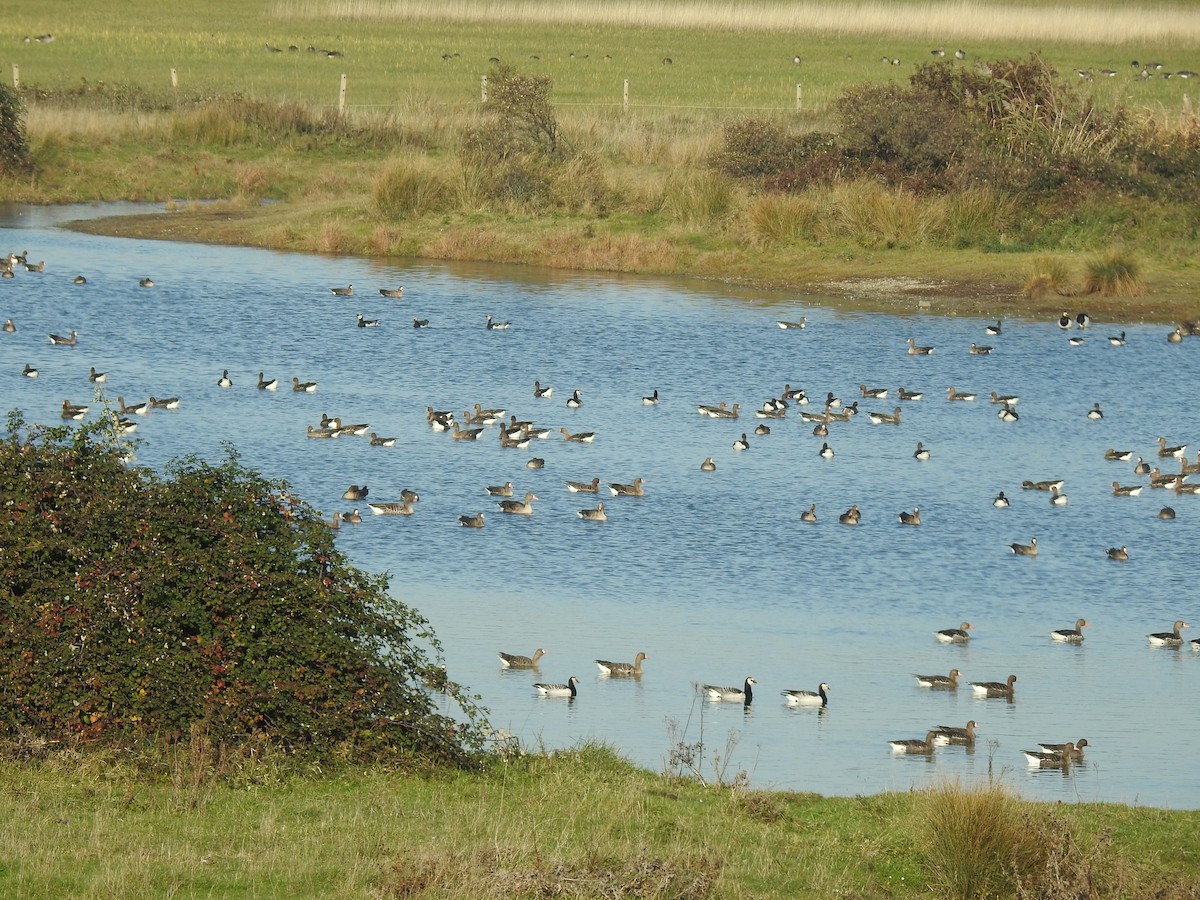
137	609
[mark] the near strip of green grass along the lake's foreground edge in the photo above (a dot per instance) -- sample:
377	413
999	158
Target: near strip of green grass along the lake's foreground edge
580	824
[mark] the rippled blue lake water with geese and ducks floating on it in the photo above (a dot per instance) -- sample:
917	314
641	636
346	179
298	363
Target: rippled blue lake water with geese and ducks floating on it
712	574
